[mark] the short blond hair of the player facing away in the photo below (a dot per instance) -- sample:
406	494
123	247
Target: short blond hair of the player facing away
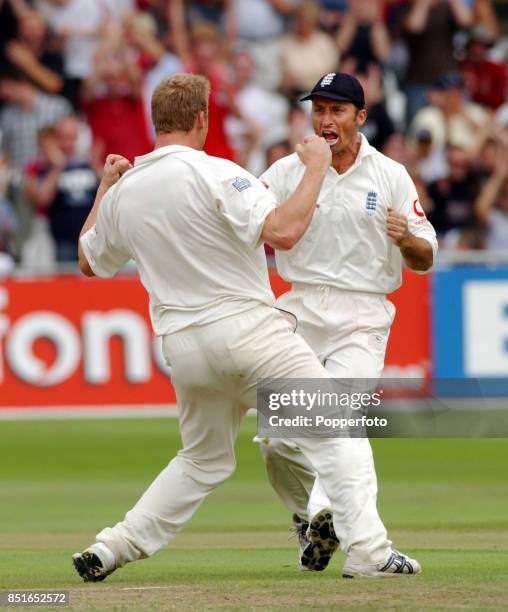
177	100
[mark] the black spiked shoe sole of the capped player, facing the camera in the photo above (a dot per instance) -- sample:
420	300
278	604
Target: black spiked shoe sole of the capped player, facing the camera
322	542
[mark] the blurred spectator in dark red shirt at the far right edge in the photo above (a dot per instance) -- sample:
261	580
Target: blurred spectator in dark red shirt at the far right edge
485	80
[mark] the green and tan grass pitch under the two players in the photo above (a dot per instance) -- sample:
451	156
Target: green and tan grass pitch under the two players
444	501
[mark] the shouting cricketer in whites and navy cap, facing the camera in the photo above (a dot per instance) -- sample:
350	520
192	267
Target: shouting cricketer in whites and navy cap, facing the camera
367	221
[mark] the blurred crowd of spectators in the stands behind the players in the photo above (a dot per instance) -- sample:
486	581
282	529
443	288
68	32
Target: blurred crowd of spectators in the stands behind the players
76	78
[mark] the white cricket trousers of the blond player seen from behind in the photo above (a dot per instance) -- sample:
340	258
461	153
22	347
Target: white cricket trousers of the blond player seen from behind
215	371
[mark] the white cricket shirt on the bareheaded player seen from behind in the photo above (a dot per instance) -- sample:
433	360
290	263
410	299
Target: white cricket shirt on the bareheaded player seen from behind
192	223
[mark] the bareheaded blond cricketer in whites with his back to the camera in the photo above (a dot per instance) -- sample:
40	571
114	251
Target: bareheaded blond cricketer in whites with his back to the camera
195	225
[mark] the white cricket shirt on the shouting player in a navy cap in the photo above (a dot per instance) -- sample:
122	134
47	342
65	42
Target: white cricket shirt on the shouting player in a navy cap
345	245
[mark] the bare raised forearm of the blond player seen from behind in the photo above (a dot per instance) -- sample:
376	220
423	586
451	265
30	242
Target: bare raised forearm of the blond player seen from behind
286	224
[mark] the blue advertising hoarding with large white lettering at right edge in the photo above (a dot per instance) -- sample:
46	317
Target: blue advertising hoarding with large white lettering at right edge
470	329
